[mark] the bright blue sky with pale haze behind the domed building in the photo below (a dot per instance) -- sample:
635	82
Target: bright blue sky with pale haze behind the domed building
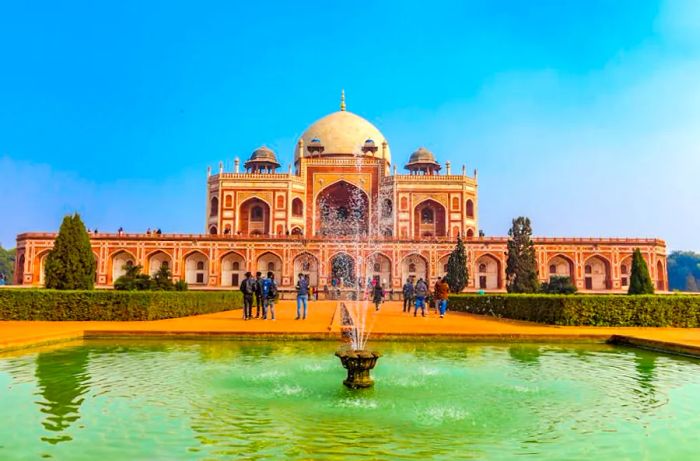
584	116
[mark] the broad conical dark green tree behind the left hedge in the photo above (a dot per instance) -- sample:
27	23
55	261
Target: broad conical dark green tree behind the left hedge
70	265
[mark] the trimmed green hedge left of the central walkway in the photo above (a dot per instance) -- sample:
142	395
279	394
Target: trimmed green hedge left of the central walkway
40	304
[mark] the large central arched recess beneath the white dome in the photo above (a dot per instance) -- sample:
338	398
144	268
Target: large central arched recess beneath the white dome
342	209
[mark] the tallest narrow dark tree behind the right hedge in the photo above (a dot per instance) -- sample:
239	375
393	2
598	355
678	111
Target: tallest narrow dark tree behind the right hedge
521	267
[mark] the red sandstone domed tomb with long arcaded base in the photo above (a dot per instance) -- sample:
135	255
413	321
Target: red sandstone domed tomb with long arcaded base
345	191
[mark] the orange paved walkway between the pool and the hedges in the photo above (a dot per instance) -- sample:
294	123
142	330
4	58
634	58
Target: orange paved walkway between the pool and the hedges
323	322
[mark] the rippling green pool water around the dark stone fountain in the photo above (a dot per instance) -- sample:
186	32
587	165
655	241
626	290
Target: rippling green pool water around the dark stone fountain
165	400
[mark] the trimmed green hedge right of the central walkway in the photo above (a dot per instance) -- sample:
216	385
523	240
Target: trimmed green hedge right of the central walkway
592	310
